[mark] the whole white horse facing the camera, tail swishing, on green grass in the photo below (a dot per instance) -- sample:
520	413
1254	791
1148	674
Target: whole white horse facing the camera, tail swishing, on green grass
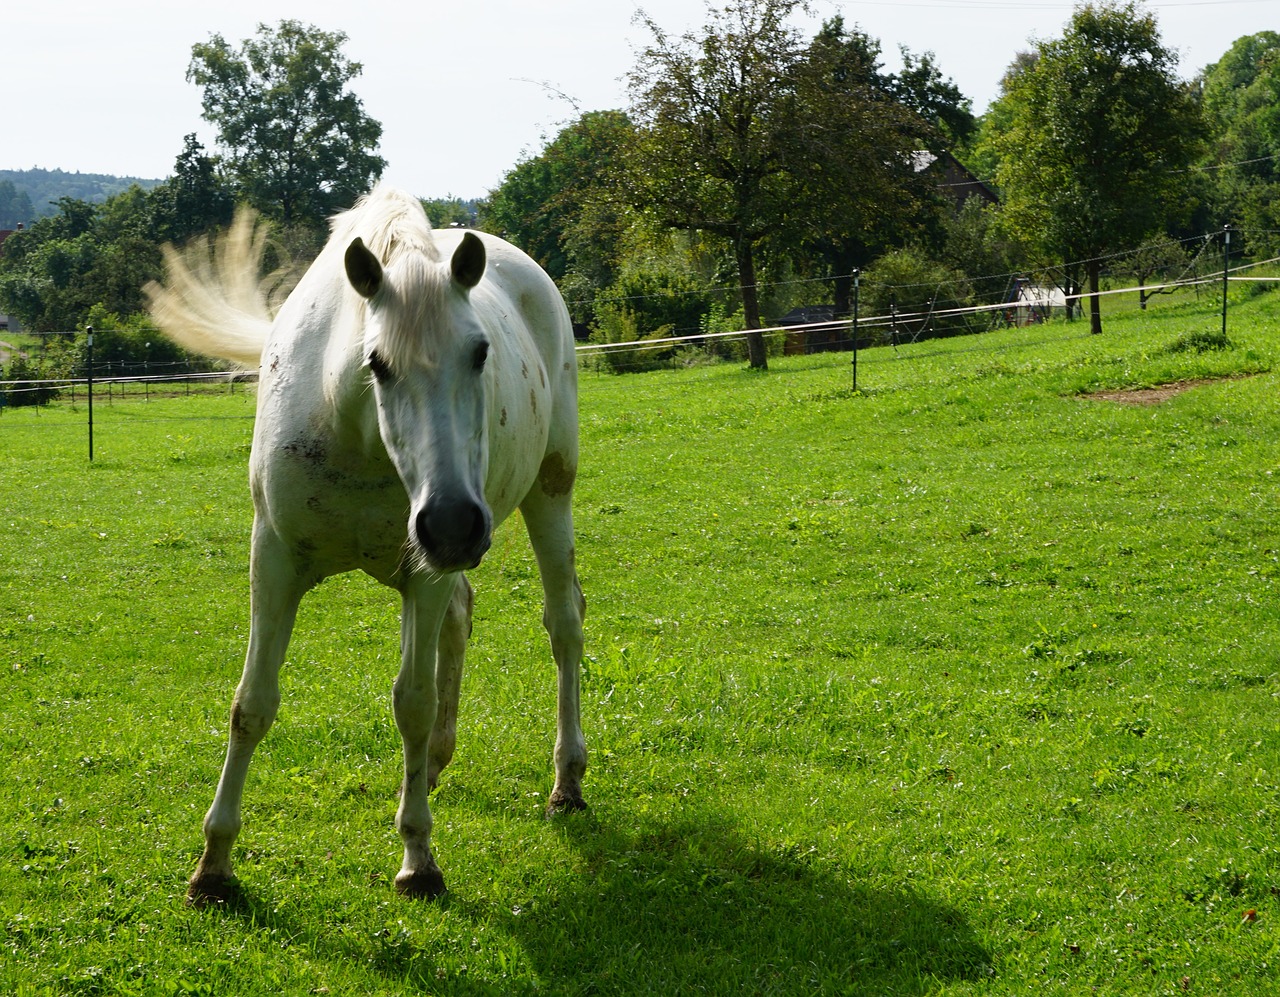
417	388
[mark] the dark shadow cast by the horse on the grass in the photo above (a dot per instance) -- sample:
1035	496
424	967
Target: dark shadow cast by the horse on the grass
685	907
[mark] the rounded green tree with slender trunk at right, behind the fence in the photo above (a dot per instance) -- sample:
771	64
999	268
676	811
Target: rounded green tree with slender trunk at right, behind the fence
1101	132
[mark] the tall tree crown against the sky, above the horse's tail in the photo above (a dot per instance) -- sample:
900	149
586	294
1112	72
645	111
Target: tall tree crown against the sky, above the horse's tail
299	141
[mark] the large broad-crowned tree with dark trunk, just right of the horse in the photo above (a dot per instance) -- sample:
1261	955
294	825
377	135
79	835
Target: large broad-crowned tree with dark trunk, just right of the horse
751	135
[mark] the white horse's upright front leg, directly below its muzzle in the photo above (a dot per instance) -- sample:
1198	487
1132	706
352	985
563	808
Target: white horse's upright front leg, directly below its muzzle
415	702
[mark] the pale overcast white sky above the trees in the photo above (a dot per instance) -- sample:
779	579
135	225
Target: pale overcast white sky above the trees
463	89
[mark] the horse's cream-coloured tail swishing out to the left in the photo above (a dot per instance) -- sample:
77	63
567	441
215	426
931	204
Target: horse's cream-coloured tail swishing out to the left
213	301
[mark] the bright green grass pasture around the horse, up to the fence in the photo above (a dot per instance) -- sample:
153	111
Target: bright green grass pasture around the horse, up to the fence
966	684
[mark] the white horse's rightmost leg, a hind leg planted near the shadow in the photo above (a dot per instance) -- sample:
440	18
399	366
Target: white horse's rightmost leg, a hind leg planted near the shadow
550	520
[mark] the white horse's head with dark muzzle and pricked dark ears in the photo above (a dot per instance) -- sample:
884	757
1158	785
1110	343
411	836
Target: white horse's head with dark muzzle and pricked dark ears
427	353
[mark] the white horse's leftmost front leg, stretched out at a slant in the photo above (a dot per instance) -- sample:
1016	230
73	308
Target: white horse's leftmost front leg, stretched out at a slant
276	591
